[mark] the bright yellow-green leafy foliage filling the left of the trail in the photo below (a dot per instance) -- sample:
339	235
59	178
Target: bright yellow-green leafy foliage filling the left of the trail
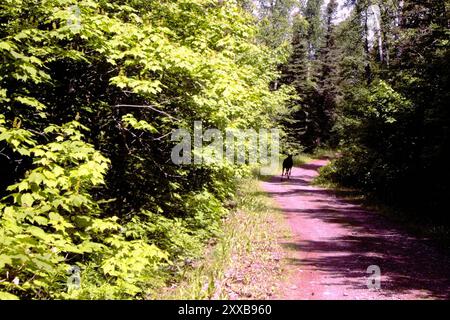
89	93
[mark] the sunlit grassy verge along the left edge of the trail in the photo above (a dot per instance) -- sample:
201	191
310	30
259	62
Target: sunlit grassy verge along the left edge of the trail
248	260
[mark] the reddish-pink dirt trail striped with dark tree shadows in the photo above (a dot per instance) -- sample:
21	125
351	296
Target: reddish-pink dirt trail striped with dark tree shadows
336	241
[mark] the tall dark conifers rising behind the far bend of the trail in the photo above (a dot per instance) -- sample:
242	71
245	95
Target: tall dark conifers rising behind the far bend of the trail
312	71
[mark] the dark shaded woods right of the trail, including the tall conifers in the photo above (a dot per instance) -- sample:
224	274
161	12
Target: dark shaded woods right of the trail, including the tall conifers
378	89
